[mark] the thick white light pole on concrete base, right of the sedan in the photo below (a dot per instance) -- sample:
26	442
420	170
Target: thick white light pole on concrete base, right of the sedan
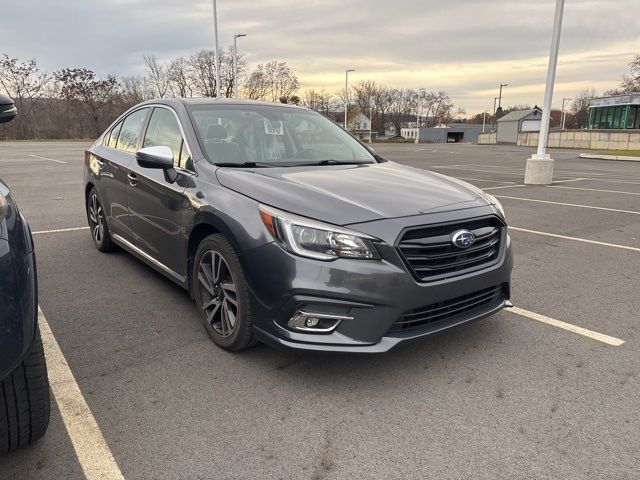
539	169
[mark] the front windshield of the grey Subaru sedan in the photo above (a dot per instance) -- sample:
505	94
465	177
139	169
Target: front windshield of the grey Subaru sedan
259	135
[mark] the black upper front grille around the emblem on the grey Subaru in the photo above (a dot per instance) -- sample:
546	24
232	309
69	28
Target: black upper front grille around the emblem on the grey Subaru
429	253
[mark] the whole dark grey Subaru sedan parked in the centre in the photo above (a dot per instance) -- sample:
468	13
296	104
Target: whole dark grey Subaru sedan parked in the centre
287	230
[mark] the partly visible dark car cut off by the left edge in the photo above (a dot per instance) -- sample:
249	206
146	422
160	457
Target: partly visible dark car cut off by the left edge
24	388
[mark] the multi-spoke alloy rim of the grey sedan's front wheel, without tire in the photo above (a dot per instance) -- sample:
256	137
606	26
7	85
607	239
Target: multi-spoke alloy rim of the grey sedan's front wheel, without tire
218	293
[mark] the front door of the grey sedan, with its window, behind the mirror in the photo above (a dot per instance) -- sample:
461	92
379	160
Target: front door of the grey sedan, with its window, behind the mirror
155	205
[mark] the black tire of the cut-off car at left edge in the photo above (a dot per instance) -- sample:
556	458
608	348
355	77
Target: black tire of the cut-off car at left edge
24	401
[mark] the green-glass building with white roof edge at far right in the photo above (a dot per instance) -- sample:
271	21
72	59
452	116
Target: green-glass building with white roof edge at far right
620	112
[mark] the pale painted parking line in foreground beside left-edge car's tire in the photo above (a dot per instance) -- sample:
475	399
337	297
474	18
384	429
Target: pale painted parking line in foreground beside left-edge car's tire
94	455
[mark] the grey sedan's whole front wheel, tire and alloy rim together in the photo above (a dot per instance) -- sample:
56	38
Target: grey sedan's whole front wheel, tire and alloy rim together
221	294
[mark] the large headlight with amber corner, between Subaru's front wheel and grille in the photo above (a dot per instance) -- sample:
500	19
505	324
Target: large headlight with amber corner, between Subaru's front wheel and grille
313	239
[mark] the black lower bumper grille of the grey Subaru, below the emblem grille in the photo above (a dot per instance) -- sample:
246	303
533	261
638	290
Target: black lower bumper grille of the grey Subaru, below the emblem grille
436	312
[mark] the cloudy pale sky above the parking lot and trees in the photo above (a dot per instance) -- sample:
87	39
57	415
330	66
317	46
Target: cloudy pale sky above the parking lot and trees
465	47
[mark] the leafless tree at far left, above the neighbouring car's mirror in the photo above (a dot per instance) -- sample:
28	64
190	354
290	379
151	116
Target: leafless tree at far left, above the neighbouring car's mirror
27	85
